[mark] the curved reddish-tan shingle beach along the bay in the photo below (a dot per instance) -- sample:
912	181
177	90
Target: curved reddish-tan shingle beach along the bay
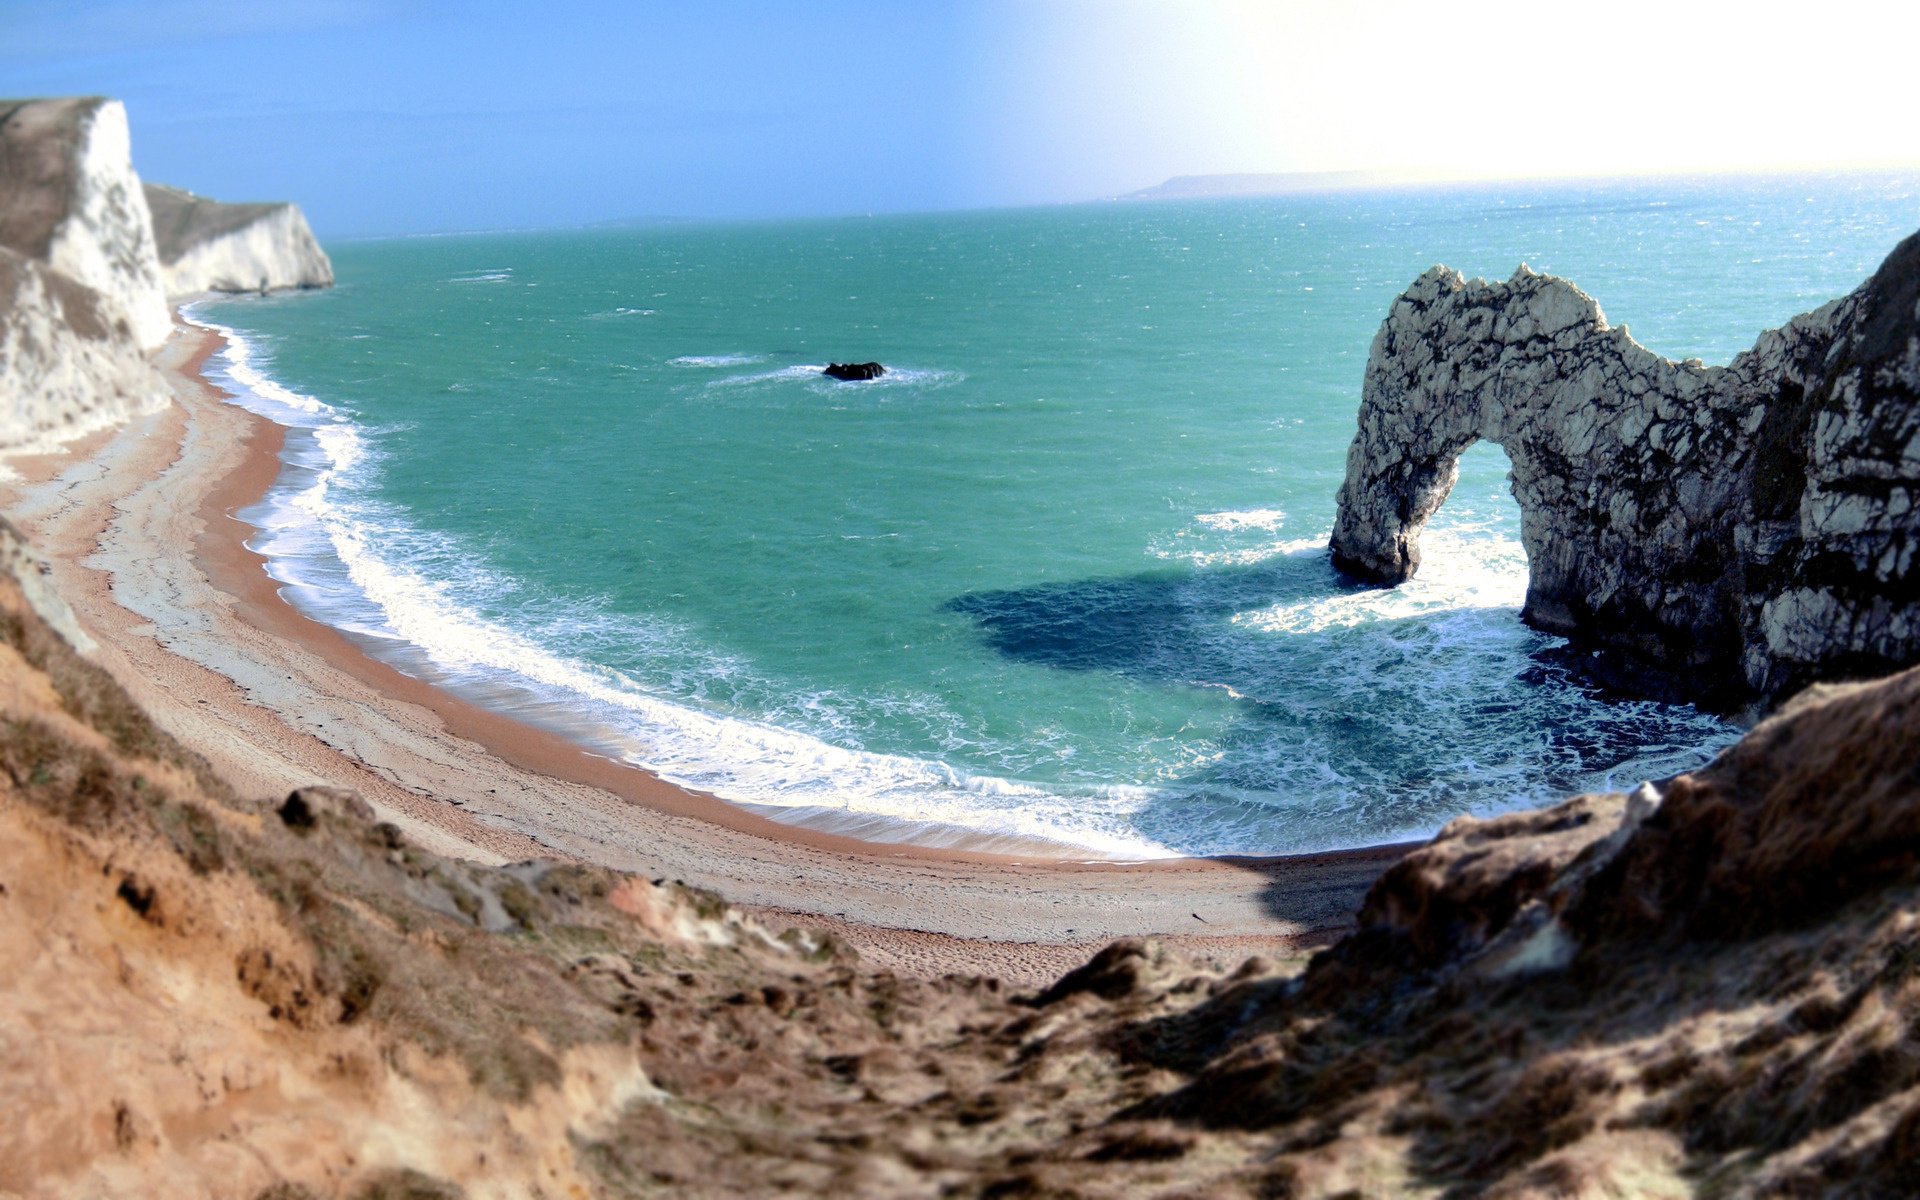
139	525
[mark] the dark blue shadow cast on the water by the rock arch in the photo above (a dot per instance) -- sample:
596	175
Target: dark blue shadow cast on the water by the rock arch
1370	729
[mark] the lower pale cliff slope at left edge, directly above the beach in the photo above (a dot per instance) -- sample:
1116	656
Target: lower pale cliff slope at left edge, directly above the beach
68	360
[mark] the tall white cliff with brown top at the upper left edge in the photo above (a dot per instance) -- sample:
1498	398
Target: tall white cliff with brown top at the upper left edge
70	201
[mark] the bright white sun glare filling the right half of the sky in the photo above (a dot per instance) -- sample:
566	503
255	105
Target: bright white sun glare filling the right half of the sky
1128	95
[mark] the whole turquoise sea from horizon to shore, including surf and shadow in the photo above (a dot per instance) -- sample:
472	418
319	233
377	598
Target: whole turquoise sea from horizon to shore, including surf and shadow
1059	575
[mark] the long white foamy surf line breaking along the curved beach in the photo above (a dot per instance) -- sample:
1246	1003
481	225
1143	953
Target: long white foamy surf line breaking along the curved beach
335	552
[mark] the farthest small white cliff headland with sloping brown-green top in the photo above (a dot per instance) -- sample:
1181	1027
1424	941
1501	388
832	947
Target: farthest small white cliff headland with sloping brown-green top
212	247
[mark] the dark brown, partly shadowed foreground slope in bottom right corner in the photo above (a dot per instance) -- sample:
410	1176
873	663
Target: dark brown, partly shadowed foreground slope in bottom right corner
1702	988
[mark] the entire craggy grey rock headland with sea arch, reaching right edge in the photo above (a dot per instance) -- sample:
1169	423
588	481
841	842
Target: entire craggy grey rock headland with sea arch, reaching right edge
1719	535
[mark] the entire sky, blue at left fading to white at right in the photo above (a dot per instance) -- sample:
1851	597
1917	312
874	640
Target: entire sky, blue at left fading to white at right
425	116
